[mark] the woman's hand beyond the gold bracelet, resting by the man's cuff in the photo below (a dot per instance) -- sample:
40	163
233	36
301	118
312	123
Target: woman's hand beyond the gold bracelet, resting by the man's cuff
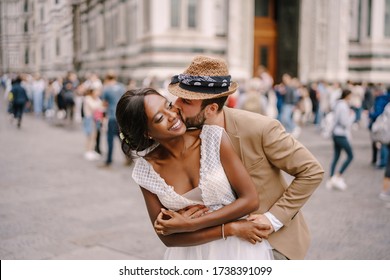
247	230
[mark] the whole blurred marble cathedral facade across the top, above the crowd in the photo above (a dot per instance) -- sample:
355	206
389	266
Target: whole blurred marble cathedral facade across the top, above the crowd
335	40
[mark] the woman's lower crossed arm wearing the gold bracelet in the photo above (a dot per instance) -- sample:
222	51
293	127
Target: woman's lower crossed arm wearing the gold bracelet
247	230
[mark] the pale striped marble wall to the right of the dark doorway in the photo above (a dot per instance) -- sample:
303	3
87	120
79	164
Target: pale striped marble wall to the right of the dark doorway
345	40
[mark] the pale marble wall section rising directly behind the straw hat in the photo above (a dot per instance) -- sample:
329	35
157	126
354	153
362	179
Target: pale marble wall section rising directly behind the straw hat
136	38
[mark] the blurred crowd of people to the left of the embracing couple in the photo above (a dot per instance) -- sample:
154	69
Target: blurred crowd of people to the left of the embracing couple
69	100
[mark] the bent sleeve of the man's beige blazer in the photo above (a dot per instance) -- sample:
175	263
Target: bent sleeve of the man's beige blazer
289	155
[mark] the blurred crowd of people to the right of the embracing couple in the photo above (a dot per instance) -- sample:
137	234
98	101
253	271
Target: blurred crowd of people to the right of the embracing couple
334	108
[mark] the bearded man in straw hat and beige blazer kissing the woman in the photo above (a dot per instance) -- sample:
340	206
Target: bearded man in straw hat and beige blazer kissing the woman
265	148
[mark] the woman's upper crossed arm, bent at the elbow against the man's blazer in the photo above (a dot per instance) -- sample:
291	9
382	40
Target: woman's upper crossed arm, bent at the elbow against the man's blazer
247	198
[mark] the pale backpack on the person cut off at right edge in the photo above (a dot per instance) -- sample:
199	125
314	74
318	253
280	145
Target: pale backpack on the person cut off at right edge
380	130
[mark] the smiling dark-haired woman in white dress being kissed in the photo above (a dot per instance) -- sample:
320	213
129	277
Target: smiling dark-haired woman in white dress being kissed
181	168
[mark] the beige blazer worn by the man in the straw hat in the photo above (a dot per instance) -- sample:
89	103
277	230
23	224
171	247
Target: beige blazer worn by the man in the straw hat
266	150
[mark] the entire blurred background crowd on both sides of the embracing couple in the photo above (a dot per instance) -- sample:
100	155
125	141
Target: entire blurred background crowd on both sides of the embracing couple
92	100
